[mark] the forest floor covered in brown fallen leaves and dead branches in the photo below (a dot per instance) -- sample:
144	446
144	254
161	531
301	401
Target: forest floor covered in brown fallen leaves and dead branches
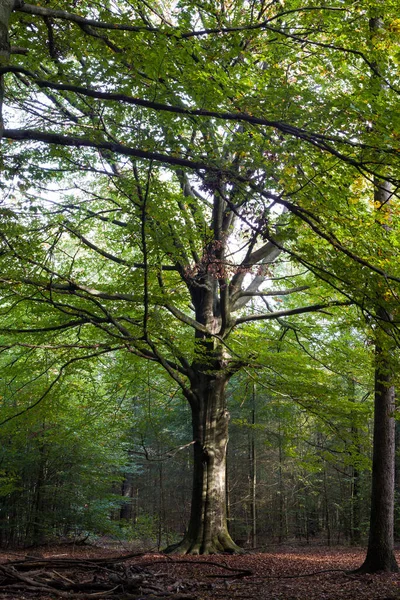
284	573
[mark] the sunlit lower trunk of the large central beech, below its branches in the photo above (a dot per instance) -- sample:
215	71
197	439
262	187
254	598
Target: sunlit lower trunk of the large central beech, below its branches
208	532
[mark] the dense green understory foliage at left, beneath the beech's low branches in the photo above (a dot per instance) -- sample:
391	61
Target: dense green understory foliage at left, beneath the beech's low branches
59	462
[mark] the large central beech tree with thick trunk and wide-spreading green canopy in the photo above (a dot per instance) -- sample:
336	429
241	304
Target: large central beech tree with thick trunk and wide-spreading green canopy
199	145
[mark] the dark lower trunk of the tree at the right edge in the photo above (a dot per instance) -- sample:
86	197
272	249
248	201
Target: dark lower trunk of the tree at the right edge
380	555
